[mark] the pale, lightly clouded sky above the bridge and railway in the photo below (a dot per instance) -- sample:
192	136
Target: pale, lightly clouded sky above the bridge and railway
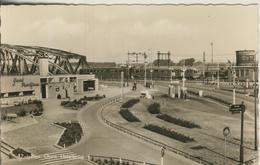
108	33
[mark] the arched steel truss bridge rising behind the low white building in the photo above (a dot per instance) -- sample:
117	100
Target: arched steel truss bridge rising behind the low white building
24	60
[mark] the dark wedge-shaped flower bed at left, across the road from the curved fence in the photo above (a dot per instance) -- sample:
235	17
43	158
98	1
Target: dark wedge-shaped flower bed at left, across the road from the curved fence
71	135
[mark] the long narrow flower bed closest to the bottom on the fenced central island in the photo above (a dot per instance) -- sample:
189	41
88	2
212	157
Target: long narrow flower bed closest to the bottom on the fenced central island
169	133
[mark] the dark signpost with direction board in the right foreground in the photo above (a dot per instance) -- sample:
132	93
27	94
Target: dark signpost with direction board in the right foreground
240	108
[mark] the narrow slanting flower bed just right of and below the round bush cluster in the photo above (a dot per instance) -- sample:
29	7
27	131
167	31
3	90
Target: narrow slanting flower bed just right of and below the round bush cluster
177	121
